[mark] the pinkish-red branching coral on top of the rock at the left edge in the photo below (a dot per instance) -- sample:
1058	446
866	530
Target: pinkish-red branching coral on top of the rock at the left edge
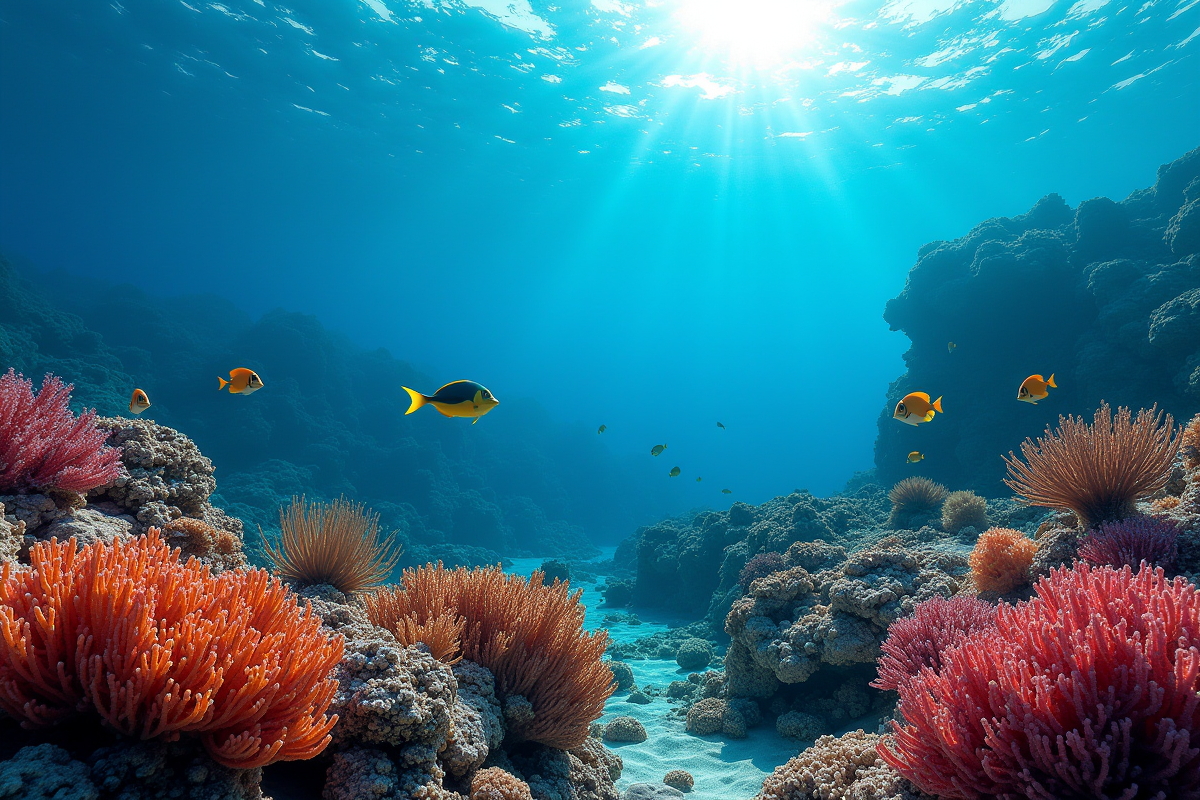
45	447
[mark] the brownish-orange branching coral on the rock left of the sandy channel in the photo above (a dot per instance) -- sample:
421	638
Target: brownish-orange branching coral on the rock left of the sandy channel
529	635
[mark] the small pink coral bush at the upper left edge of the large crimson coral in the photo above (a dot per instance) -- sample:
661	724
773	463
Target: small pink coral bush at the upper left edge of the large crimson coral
919	641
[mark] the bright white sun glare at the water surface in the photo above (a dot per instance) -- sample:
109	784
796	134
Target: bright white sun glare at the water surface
754	33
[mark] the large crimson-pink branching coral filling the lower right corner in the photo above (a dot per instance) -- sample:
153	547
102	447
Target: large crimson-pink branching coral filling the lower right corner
1089	690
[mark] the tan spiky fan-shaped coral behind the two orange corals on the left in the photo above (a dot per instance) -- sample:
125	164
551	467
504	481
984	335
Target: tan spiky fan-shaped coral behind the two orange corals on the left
338	544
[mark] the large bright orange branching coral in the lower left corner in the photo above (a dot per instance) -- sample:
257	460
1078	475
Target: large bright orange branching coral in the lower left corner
159	648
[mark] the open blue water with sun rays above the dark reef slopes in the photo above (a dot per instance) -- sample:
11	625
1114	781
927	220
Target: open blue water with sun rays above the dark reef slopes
650	215
